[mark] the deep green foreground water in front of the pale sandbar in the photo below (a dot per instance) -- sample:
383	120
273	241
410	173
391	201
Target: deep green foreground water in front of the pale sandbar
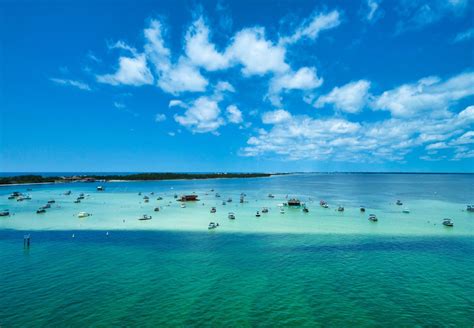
184	279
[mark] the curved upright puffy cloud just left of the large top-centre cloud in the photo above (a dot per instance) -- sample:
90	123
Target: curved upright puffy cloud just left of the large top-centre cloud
200	51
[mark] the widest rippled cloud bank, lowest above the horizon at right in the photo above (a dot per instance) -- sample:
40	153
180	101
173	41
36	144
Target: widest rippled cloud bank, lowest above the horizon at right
303	137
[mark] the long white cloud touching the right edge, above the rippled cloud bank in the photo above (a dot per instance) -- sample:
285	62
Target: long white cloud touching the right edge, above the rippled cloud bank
430	94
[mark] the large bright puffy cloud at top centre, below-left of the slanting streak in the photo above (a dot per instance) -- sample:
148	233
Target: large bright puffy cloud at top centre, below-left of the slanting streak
258	55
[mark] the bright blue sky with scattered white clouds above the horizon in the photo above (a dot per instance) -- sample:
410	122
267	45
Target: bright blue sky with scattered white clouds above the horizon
232	86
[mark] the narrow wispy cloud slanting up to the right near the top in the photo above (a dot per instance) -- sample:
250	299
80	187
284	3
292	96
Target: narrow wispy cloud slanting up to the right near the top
312	27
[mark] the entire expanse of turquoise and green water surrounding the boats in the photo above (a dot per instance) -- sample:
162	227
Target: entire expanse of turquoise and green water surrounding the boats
323	268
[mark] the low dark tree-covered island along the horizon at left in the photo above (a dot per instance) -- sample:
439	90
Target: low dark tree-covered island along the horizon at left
31	178
